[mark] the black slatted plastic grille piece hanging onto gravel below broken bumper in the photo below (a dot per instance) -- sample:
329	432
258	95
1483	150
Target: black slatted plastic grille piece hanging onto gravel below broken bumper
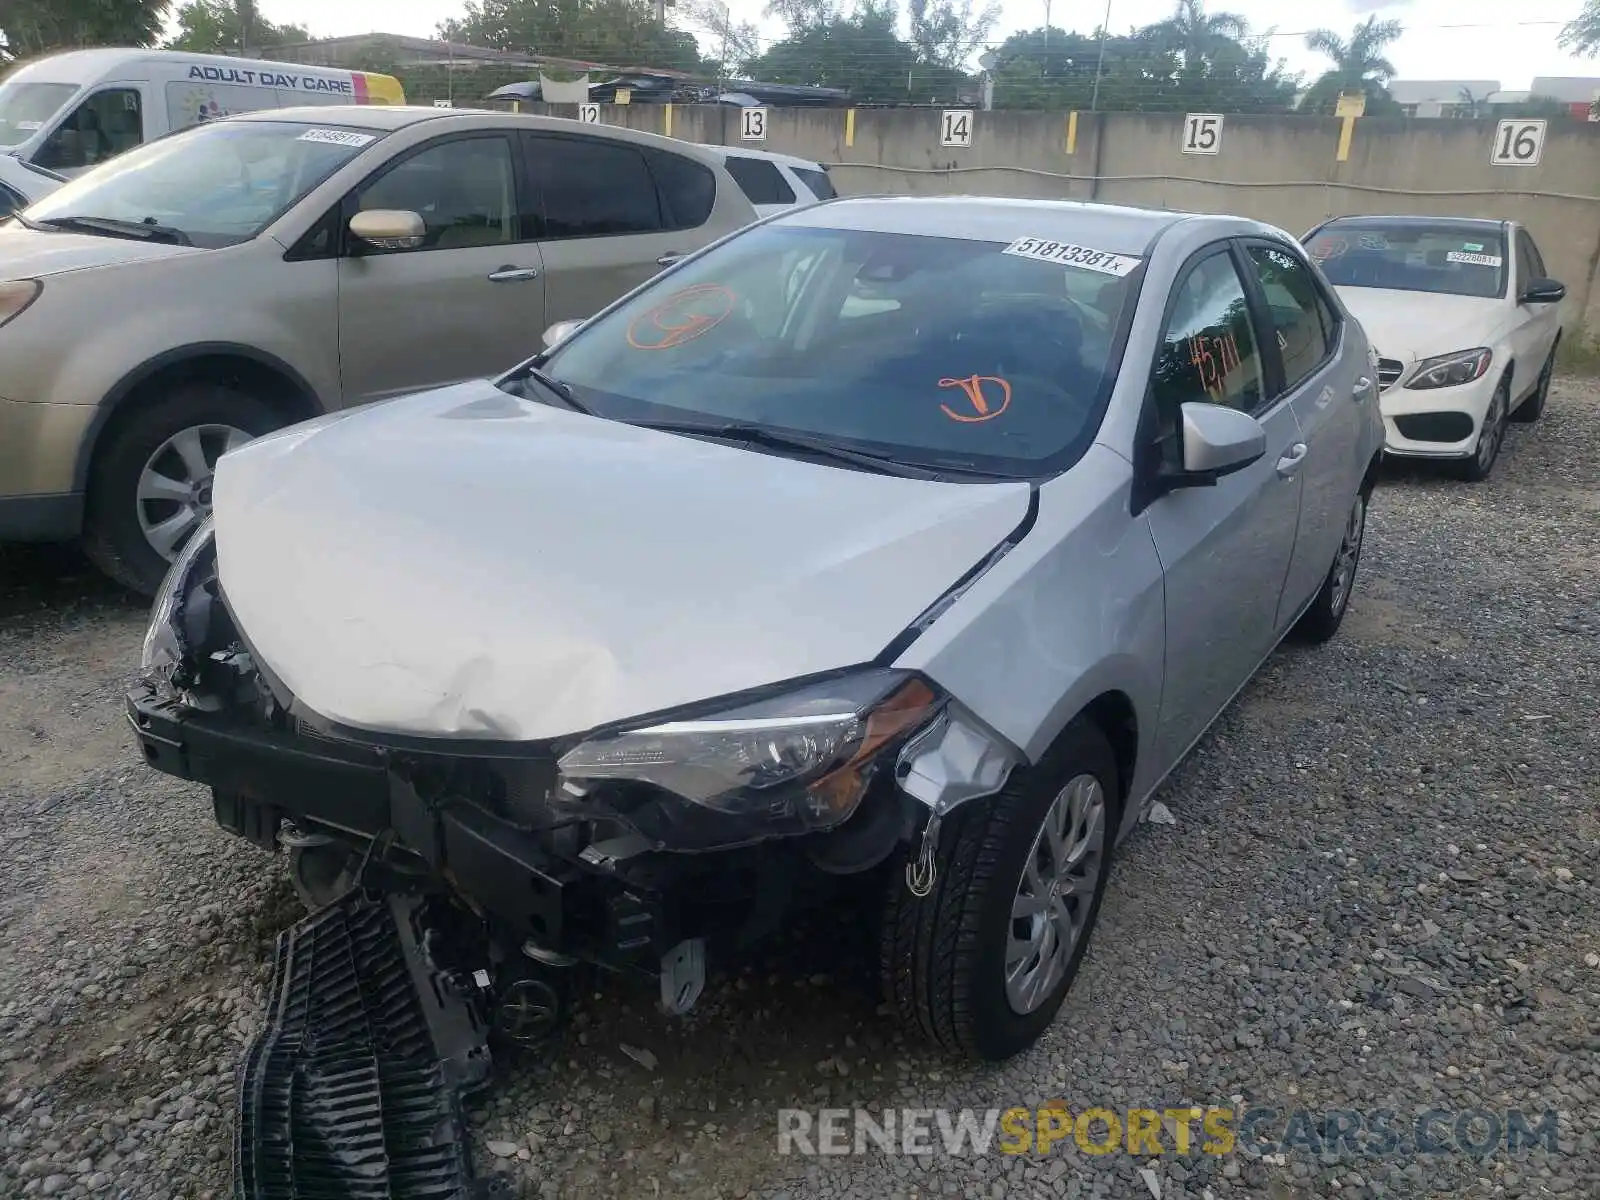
354	1089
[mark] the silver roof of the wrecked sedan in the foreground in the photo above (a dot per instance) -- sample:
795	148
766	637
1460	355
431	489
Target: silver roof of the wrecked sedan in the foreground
986	218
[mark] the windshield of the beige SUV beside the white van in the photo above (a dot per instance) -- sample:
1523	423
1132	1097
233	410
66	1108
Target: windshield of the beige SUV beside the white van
214	185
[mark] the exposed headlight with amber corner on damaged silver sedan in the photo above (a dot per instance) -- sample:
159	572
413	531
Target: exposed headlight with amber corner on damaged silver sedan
778	767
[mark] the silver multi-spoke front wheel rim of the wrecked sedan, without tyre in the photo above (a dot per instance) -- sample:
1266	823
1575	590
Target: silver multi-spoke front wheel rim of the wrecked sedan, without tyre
1054	898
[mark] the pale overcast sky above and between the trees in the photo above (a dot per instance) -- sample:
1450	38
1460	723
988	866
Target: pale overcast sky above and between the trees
1444	39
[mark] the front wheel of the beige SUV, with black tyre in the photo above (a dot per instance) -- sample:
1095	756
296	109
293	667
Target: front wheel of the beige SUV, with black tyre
151	484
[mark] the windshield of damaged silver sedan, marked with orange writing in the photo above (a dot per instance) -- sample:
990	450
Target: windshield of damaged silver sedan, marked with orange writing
935	353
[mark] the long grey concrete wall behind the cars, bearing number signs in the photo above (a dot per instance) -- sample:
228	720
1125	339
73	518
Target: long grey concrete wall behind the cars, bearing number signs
1284	170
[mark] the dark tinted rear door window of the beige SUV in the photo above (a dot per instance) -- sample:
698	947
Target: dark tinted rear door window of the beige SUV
591	188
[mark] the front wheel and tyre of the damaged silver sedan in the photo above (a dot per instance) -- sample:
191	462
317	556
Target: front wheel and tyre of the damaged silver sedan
982	964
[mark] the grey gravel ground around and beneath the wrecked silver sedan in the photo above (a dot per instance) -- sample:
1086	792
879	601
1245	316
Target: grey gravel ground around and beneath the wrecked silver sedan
1380	894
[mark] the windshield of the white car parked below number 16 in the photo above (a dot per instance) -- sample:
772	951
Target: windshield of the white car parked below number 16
1412	258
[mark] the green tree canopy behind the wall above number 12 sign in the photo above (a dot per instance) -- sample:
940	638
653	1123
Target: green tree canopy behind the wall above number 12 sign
617	33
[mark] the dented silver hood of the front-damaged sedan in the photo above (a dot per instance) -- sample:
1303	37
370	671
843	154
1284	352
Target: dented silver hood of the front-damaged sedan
468	564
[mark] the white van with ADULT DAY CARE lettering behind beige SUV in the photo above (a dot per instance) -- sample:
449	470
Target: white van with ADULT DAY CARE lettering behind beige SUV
68	113
